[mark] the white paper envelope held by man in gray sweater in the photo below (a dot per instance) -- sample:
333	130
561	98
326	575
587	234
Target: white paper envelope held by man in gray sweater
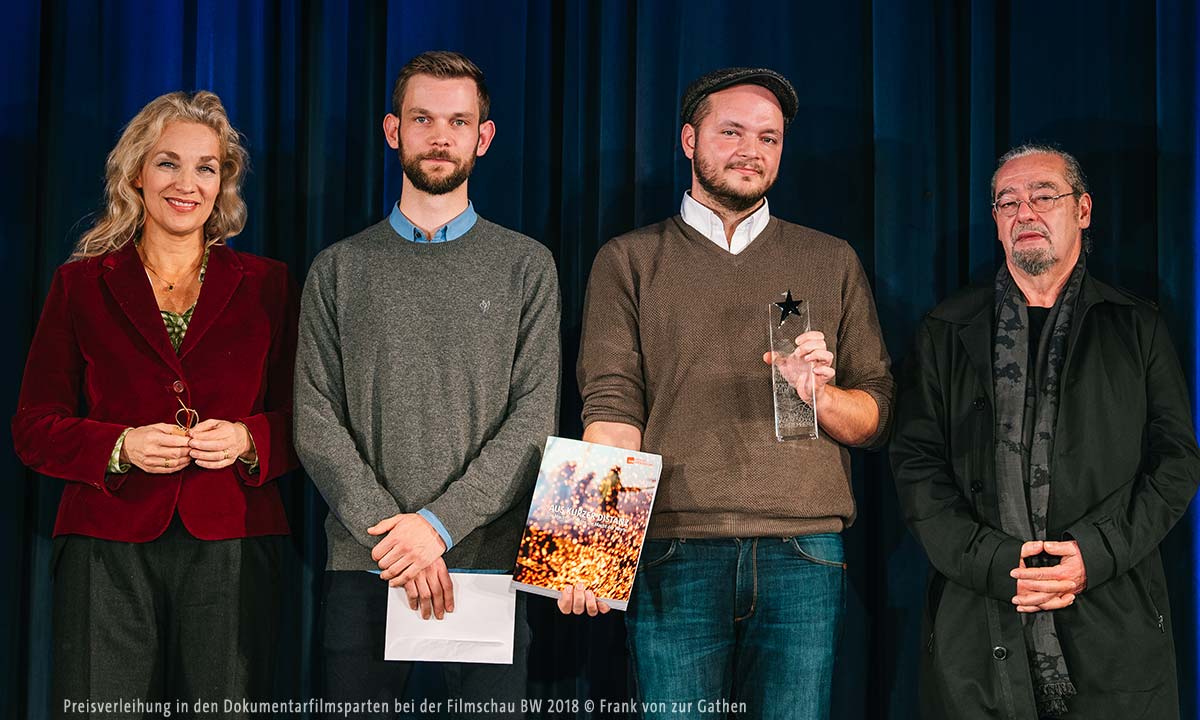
479	631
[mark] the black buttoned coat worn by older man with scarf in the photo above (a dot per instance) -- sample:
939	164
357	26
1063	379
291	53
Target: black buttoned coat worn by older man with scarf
1124	470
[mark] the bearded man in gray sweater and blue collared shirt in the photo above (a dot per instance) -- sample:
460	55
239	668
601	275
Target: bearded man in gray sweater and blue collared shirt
428	380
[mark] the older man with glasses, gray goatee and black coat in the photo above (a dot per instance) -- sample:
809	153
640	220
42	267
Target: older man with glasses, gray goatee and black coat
1043	451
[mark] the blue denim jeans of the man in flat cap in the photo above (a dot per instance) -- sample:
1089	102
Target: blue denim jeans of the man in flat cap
740	627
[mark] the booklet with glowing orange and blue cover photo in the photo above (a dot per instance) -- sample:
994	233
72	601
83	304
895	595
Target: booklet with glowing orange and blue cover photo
587	521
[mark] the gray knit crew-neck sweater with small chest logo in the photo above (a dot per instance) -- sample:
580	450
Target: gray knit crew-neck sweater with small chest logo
428	376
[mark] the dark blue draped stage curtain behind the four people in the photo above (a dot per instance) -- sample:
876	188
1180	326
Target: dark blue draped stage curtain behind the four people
904	109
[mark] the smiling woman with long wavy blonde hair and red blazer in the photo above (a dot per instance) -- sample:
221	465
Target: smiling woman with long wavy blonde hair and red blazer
159	387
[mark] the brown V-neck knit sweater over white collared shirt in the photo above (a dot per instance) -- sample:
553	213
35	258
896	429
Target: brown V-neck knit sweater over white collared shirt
674	334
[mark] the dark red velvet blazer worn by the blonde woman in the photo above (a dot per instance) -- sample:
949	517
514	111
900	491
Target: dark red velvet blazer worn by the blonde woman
101	362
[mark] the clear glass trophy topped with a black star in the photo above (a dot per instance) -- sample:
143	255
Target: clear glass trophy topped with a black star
795	419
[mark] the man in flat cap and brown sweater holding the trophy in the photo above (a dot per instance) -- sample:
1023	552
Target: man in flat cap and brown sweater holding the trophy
740	596
